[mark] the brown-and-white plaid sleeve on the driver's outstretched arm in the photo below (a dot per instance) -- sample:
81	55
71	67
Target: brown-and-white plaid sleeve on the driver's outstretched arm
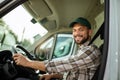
87	57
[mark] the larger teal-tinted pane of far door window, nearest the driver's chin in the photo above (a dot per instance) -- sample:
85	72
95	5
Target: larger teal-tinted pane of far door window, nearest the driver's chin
63	45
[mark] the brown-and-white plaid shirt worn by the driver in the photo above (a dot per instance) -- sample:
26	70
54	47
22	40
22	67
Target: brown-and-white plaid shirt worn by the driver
80	66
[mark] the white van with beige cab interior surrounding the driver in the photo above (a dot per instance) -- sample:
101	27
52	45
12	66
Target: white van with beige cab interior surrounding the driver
40	29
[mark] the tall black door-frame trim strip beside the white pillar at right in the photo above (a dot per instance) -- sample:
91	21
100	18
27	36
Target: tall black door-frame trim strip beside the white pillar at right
106	42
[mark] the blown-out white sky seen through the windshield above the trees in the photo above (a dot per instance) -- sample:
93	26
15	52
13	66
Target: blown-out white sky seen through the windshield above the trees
19	22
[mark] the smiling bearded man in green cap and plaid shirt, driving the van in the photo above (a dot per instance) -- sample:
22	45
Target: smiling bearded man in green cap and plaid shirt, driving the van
80	66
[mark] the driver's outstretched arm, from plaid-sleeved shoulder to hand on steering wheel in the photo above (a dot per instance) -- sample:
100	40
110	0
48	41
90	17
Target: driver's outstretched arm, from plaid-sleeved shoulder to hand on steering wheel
90	57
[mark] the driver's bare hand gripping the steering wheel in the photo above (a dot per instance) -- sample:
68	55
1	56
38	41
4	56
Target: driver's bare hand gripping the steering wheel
21	60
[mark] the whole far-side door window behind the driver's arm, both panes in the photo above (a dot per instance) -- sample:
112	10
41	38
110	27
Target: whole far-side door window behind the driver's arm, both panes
62	47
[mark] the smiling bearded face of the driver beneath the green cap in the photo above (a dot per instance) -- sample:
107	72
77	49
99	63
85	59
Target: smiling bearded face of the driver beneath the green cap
81	33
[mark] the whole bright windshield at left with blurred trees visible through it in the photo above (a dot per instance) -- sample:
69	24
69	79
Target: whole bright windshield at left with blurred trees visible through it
17	28
